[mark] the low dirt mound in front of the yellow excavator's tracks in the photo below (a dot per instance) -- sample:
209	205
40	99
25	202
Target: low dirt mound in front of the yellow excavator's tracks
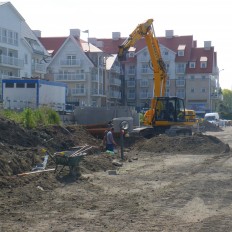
197	144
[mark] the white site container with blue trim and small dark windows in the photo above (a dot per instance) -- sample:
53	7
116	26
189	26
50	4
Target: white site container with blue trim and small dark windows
42	94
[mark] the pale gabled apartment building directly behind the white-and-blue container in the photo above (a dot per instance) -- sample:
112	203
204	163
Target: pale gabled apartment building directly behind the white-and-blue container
92	76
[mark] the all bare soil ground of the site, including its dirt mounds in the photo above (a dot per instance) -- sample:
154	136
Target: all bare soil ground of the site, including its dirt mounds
165	183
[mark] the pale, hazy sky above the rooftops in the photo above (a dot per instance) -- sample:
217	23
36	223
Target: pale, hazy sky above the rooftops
205	20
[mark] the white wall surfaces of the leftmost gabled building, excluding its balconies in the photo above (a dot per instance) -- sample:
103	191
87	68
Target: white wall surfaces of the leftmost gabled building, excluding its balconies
11	20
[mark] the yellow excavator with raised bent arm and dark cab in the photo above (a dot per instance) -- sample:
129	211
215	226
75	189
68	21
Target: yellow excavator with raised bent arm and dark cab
166	114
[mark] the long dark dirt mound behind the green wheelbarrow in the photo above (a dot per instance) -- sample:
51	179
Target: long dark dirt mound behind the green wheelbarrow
20	149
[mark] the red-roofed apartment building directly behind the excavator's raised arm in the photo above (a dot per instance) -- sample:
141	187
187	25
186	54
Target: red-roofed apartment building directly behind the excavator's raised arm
192	71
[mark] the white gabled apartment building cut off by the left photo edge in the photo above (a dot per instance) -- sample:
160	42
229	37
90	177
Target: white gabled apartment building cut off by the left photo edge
21	53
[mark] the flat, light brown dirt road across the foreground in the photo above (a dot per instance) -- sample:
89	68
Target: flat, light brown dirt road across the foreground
154	192
